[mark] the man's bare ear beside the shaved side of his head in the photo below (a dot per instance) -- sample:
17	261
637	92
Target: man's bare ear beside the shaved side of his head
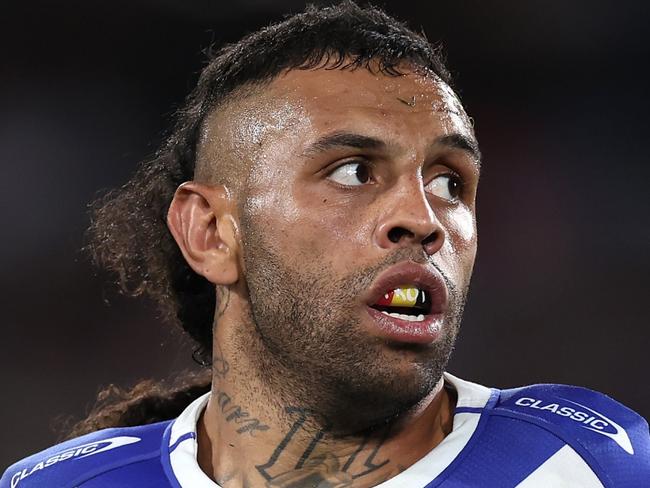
201	220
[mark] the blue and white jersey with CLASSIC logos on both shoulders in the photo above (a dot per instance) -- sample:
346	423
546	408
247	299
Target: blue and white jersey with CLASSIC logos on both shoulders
538	436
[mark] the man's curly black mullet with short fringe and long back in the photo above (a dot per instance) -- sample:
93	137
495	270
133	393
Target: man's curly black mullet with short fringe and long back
128	234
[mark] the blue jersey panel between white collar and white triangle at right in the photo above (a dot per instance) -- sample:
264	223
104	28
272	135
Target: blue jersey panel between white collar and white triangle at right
503	453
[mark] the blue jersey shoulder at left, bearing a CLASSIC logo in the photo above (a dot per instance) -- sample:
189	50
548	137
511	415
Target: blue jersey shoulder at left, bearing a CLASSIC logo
71	463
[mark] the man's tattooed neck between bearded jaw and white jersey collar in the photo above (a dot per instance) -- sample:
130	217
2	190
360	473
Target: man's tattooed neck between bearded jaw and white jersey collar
250	436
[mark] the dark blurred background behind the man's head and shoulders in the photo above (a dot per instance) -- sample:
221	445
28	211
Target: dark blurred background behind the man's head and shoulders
559	91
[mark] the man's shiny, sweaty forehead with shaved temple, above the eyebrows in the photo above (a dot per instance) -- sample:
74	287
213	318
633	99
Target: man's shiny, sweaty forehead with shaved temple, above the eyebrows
299	106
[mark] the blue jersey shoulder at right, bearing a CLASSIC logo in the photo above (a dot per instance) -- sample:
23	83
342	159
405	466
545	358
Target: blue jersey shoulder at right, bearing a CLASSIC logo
613	439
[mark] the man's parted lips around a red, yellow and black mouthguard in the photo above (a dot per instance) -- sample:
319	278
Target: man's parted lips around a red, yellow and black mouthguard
424	323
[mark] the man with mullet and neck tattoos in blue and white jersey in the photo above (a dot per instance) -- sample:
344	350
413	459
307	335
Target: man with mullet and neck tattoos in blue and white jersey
311	224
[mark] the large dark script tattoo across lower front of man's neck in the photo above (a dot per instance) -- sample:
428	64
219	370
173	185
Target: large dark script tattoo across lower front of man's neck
323	470
